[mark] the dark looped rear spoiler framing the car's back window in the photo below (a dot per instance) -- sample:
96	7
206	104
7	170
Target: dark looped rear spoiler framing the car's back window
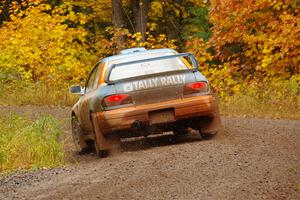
193	59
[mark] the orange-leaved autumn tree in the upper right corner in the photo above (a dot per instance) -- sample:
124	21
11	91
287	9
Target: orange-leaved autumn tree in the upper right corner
260	39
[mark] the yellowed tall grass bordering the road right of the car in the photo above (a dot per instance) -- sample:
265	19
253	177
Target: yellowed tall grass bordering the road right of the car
278	101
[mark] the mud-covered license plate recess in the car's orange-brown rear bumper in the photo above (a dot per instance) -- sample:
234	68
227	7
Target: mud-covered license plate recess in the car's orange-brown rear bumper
162	116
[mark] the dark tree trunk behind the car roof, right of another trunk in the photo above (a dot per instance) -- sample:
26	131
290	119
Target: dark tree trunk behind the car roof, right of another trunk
140	10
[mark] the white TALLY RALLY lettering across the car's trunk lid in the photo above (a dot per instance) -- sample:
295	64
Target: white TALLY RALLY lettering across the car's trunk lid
154	82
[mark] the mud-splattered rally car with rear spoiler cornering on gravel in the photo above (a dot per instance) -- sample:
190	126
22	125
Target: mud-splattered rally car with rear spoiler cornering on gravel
141	92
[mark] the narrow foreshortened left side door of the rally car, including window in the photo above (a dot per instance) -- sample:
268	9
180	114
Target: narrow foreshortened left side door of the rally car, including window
90	86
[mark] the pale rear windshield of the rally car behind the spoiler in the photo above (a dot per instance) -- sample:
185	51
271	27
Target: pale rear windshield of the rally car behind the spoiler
141	68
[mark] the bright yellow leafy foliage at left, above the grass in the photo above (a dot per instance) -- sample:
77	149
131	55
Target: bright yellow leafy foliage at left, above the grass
41	47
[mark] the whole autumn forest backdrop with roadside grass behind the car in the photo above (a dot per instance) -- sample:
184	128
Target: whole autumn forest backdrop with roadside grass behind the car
249	50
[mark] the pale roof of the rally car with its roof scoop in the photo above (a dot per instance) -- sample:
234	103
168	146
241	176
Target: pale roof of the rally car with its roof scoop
138	52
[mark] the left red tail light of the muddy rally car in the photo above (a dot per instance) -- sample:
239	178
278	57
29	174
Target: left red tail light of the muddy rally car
116	100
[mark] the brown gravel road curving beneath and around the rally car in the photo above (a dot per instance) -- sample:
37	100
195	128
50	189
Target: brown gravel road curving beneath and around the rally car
250	159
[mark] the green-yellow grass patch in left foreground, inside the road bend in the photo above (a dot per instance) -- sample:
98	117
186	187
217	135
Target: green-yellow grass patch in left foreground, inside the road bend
29	145
